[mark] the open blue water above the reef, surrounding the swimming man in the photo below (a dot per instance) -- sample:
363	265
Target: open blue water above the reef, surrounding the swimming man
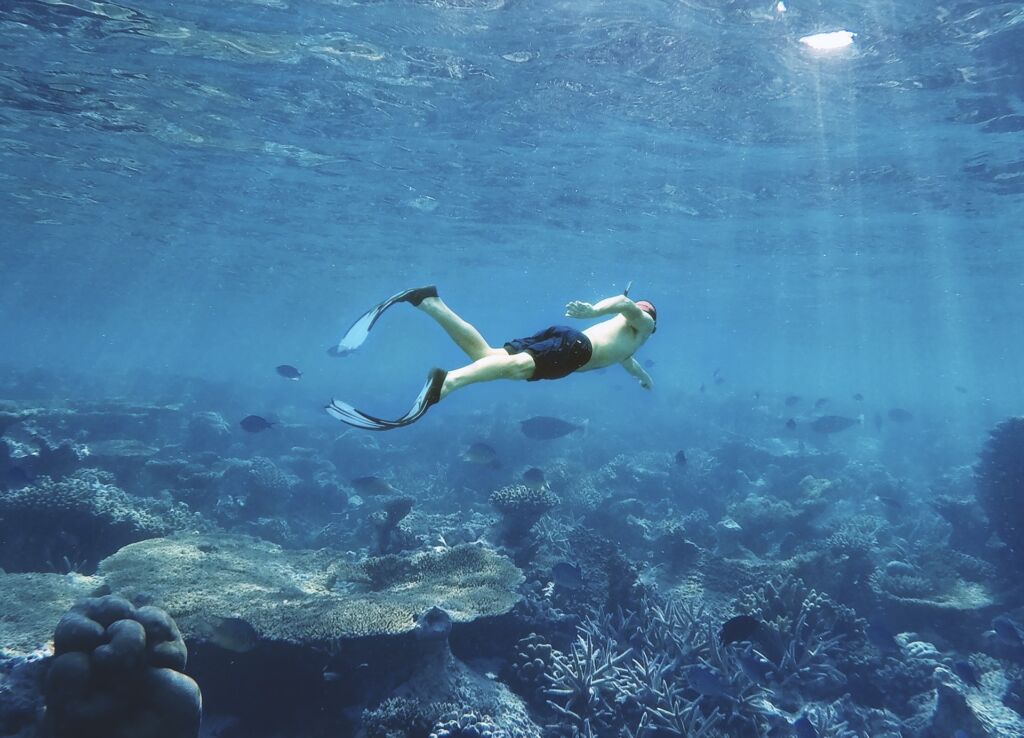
208	190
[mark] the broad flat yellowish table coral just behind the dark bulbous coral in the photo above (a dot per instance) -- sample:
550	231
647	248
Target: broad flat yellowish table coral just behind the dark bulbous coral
310	597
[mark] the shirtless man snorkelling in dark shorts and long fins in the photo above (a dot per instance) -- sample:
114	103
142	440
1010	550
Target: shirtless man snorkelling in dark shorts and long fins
553	354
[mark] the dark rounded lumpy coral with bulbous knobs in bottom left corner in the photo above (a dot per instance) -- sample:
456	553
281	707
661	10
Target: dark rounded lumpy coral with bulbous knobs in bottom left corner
118	673
